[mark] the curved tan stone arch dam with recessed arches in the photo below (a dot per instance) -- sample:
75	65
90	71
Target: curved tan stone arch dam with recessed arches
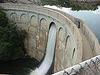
74	40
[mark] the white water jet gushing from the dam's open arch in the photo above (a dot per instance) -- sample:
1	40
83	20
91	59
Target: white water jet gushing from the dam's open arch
46	64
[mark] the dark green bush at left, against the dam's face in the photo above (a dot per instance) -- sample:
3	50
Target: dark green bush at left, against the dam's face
11	39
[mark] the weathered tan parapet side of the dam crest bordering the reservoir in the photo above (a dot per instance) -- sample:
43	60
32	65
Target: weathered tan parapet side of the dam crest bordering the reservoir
90	43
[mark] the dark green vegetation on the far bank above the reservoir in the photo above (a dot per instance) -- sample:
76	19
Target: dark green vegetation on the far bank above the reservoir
75	5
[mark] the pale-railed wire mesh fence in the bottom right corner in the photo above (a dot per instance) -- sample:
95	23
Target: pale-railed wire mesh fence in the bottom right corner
88	67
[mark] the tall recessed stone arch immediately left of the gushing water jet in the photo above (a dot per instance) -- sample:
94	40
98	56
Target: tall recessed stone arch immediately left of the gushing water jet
43	35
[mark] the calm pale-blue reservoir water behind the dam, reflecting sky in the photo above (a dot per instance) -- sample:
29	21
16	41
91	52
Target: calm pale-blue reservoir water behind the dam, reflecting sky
92	18
